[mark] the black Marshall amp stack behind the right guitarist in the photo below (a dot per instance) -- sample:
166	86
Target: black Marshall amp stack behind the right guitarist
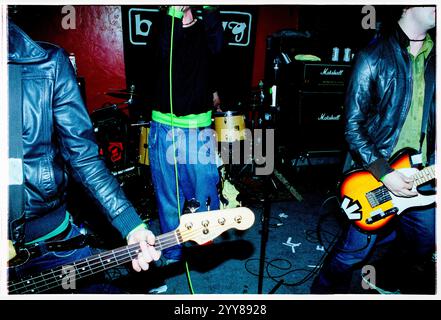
311	105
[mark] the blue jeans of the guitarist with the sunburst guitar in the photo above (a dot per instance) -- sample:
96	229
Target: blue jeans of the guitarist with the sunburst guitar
417	228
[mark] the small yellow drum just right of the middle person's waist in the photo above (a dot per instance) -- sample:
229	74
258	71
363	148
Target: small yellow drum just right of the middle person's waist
229	126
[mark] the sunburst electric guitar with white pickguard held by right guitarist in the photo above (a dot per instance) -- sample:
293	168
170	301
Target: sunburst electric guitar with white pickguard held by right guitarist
370	205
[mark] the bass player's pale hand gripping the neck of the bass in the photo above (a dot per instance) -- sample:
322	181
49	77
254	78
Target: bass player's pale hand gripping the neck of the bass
148	253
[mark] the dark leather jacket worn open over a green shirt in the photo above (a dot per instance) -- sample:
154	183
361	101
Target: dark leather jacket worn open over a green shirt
378	100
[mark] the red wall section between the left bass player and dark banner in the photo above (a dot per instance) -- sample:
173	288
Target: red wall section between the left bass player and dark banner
97	44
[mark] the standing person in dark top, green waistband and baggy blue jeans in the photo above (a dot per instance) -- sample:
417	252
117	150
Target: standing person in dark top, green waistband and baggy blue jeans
184	110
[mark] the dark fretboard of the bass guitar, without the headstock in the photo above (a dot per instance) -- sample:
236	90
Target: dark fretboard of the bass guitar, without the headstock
60	276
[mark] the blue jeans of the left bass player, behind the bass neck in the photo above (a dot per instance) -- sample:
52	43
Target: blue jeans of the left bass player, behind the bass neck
53	259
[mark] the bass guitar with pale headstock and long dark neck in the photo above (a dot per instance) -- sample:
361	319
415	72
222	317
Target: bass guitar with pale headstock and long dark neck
199	227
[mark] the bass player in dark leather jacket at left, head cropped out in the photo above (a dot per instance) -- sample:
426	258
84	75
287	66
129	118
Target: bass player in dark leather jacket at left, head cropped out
58	143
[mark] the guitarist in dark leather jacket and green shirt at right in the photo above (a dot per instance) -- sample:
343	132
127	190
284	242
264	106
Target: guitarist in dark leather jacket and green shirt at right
390	104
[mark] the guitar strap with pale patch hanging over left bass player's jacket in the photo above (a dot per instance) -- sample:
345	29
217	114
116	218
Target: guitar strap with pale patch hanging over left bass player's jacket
16	183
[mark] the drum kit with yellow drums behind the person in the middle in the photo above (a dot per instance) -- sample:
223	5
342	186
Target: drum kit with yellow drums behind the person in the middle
124	139
